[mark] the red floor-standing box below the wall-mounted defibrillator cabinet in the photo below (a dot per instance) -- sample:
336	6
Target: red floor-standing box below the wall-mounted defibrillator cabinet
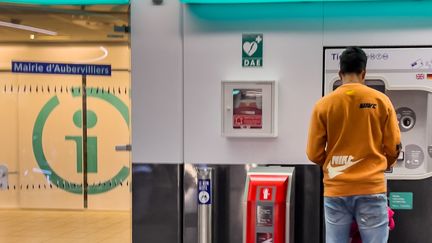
268	205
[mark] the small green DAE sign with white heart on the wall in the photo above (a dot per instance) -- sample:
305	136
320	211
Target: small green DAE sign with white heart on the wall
252	49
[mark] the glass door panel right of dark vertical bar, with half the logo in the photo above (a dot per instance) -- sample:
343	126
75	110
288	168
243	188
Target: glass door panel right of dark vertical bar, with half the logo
109	160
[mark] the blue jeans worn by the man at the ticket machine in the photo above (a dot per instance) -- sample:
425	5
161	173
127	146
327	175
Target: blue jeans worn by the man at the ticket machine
370	212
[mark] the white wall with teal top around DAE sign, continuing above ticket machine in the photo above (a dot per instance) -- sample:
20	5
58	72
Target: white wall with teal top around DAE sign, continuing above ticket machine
294	36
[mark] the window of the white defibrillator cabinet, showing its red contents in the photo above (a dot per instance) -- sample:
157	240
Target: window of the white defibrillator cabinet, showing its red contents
247	113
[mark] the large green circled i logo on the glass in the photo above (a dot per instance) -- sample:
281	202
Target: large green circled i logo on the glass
38	151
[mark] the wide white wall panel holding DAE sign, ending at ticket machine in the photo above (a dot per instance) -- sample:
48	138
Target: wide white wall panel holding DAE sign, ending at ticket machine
292	56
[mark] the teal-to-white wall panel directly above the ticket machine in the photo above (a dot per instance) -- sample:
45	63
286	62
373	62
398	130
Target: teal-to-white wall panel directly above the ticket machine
377	23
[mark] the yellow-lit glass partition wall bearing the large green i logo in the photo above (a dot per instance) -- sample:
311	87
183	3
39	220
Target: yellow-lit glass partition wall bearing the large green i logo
46	194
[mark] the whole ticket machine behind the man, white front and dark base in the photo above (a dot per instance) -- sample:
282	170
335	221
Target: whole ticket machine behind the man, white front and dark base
404	74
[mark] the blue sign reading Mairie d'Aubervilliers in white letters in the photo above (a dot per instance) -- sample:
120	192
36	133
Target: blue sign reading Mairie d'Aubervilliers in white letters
61	68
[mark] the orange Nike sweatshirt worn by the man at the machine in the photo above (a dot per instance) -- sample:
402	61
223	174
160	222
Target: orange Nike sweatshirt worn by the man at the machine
354	135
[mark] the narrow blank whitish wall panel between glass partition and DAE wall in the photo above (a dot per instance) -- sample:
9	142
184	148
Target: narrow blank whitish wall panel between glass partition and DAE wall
157	82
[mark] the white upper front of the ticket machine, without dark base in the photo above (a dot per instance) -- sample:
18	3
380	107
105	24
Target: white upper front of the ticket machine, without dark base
405	76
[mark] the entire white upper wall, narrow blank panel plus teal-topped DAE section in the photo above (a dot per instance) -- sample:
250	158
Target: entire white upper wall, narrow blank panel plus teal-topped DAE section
294	36
